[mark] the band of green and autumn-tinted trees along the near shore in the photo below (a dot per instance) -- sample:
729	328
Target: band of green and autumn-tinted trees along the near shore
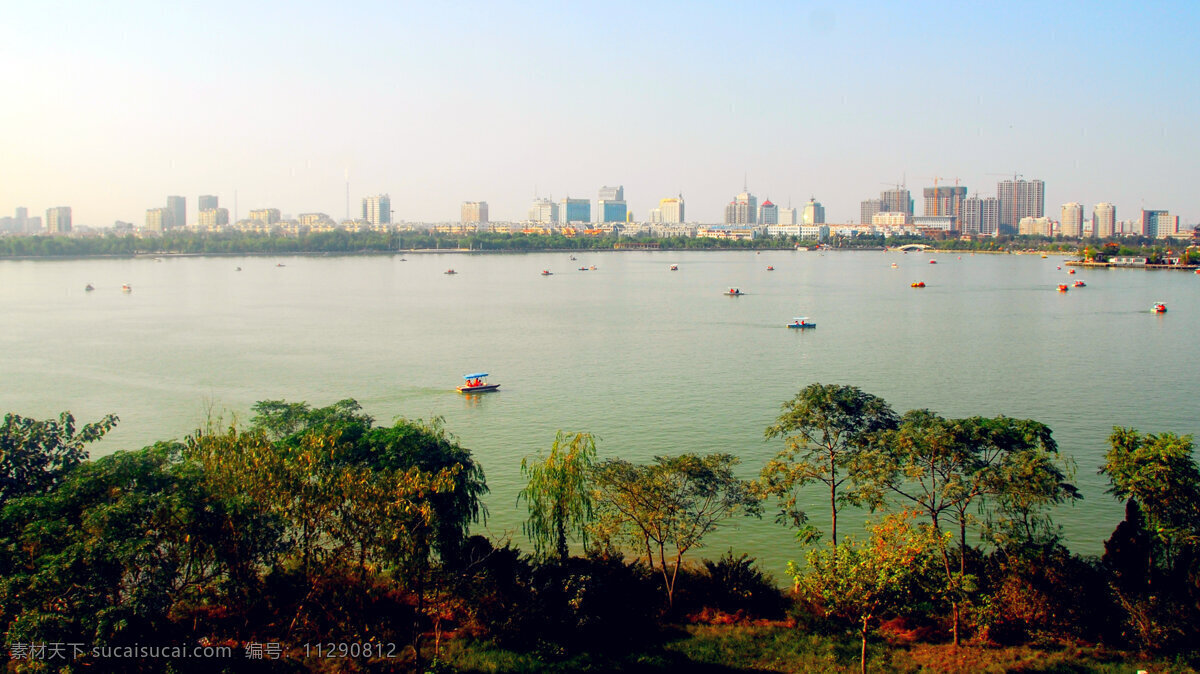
317	525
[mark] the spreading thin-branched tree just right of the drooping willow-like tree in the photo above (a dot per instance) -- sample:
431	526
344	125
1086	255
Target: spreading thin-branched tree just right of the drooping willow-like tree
669	507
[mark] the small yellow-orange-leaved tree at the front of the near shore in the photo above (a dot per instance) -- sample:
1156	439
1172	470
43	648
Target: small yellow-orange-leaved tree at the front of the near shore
863	582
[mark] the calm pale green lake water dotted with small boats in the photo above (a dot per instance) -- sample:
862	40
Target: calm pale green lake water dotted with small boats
652	362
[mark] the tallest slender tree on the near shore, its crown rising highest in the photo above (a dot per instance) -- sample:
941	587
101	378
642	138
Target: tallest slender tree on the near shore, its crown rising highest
824	428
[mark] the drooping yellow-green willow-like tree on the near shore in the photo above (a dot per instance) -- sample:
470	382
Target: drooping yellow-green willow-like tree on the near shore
560	494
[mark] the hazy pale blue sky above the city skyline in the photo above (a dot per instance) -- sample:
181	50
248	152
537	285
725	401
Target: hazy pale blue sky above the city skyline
110	107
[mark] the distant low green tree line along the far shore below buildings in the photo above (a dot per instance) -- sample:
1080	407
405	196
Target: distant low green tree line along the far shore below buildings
343	242
